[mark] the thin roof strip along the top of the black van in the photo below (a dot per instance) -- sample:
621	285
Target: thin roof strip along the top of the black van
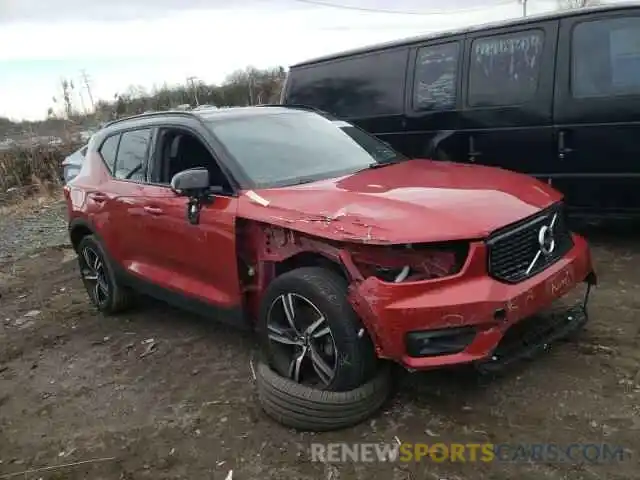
474	28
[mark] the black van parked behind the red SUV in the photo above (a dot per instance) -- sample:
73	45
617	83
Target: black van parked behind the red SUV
555	96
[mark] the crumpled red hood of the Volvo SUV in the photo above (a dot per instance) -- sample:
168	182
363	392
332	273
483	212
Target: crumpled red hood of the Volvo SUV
410	202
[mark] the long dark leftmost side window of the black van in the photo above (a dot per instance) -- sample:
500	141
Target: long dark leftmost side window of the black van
365	86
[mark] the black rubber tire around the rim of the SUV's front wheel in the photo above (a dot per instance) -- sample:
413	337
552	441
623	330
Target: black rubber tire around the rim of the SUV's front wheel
354	360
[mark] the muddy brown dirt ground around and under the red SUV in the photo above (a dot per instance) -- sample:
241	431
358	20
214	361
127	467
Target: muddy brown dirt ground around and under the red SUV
158	393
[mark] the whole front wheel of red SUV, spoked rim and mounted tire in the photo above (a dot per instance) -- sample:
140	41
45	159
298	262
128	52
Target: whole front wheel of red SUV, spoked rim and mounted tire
310	333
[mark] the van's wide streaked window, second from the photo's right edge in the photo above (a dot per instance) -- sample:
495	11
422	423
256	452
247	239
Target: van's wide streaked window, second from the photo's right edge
504	69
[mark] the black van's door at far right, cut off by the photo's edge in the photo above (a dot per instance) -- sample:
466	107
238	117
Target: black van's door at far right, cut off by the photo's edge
597	111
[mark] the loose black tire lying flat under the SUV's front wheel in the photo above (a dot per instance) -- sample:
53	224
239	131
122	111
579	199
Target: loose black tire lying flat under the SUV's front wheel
306	408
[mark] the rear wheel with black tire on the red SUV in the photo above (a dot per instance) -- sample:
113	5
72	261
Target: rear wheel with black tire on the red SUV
114	297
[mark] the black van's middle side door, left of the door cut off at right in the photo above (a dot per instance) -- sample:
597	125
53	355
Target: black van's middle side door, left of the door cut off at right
508	93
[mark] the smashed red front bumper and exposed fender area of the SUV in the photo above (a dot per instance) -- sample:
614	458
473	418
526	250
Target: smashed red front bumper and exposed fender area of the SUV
424	305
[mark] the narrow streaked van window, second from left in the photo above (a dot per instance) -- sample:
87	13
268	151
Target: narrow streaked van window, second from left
435	78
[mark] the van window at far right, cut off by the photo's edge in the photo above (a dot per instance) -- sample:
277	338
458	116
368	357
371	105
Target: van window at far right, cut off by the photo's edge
606	58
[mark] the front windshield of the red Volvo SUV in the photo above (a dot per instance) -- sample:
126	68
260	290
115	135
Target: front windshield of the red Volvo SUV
295	147
